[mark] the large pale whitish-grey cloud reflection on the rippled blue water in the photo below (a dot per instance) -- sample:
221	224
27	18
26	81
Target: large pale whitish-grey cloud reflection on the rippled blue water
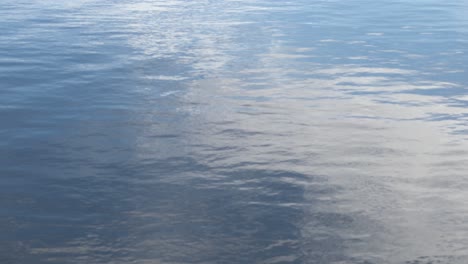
370	131
